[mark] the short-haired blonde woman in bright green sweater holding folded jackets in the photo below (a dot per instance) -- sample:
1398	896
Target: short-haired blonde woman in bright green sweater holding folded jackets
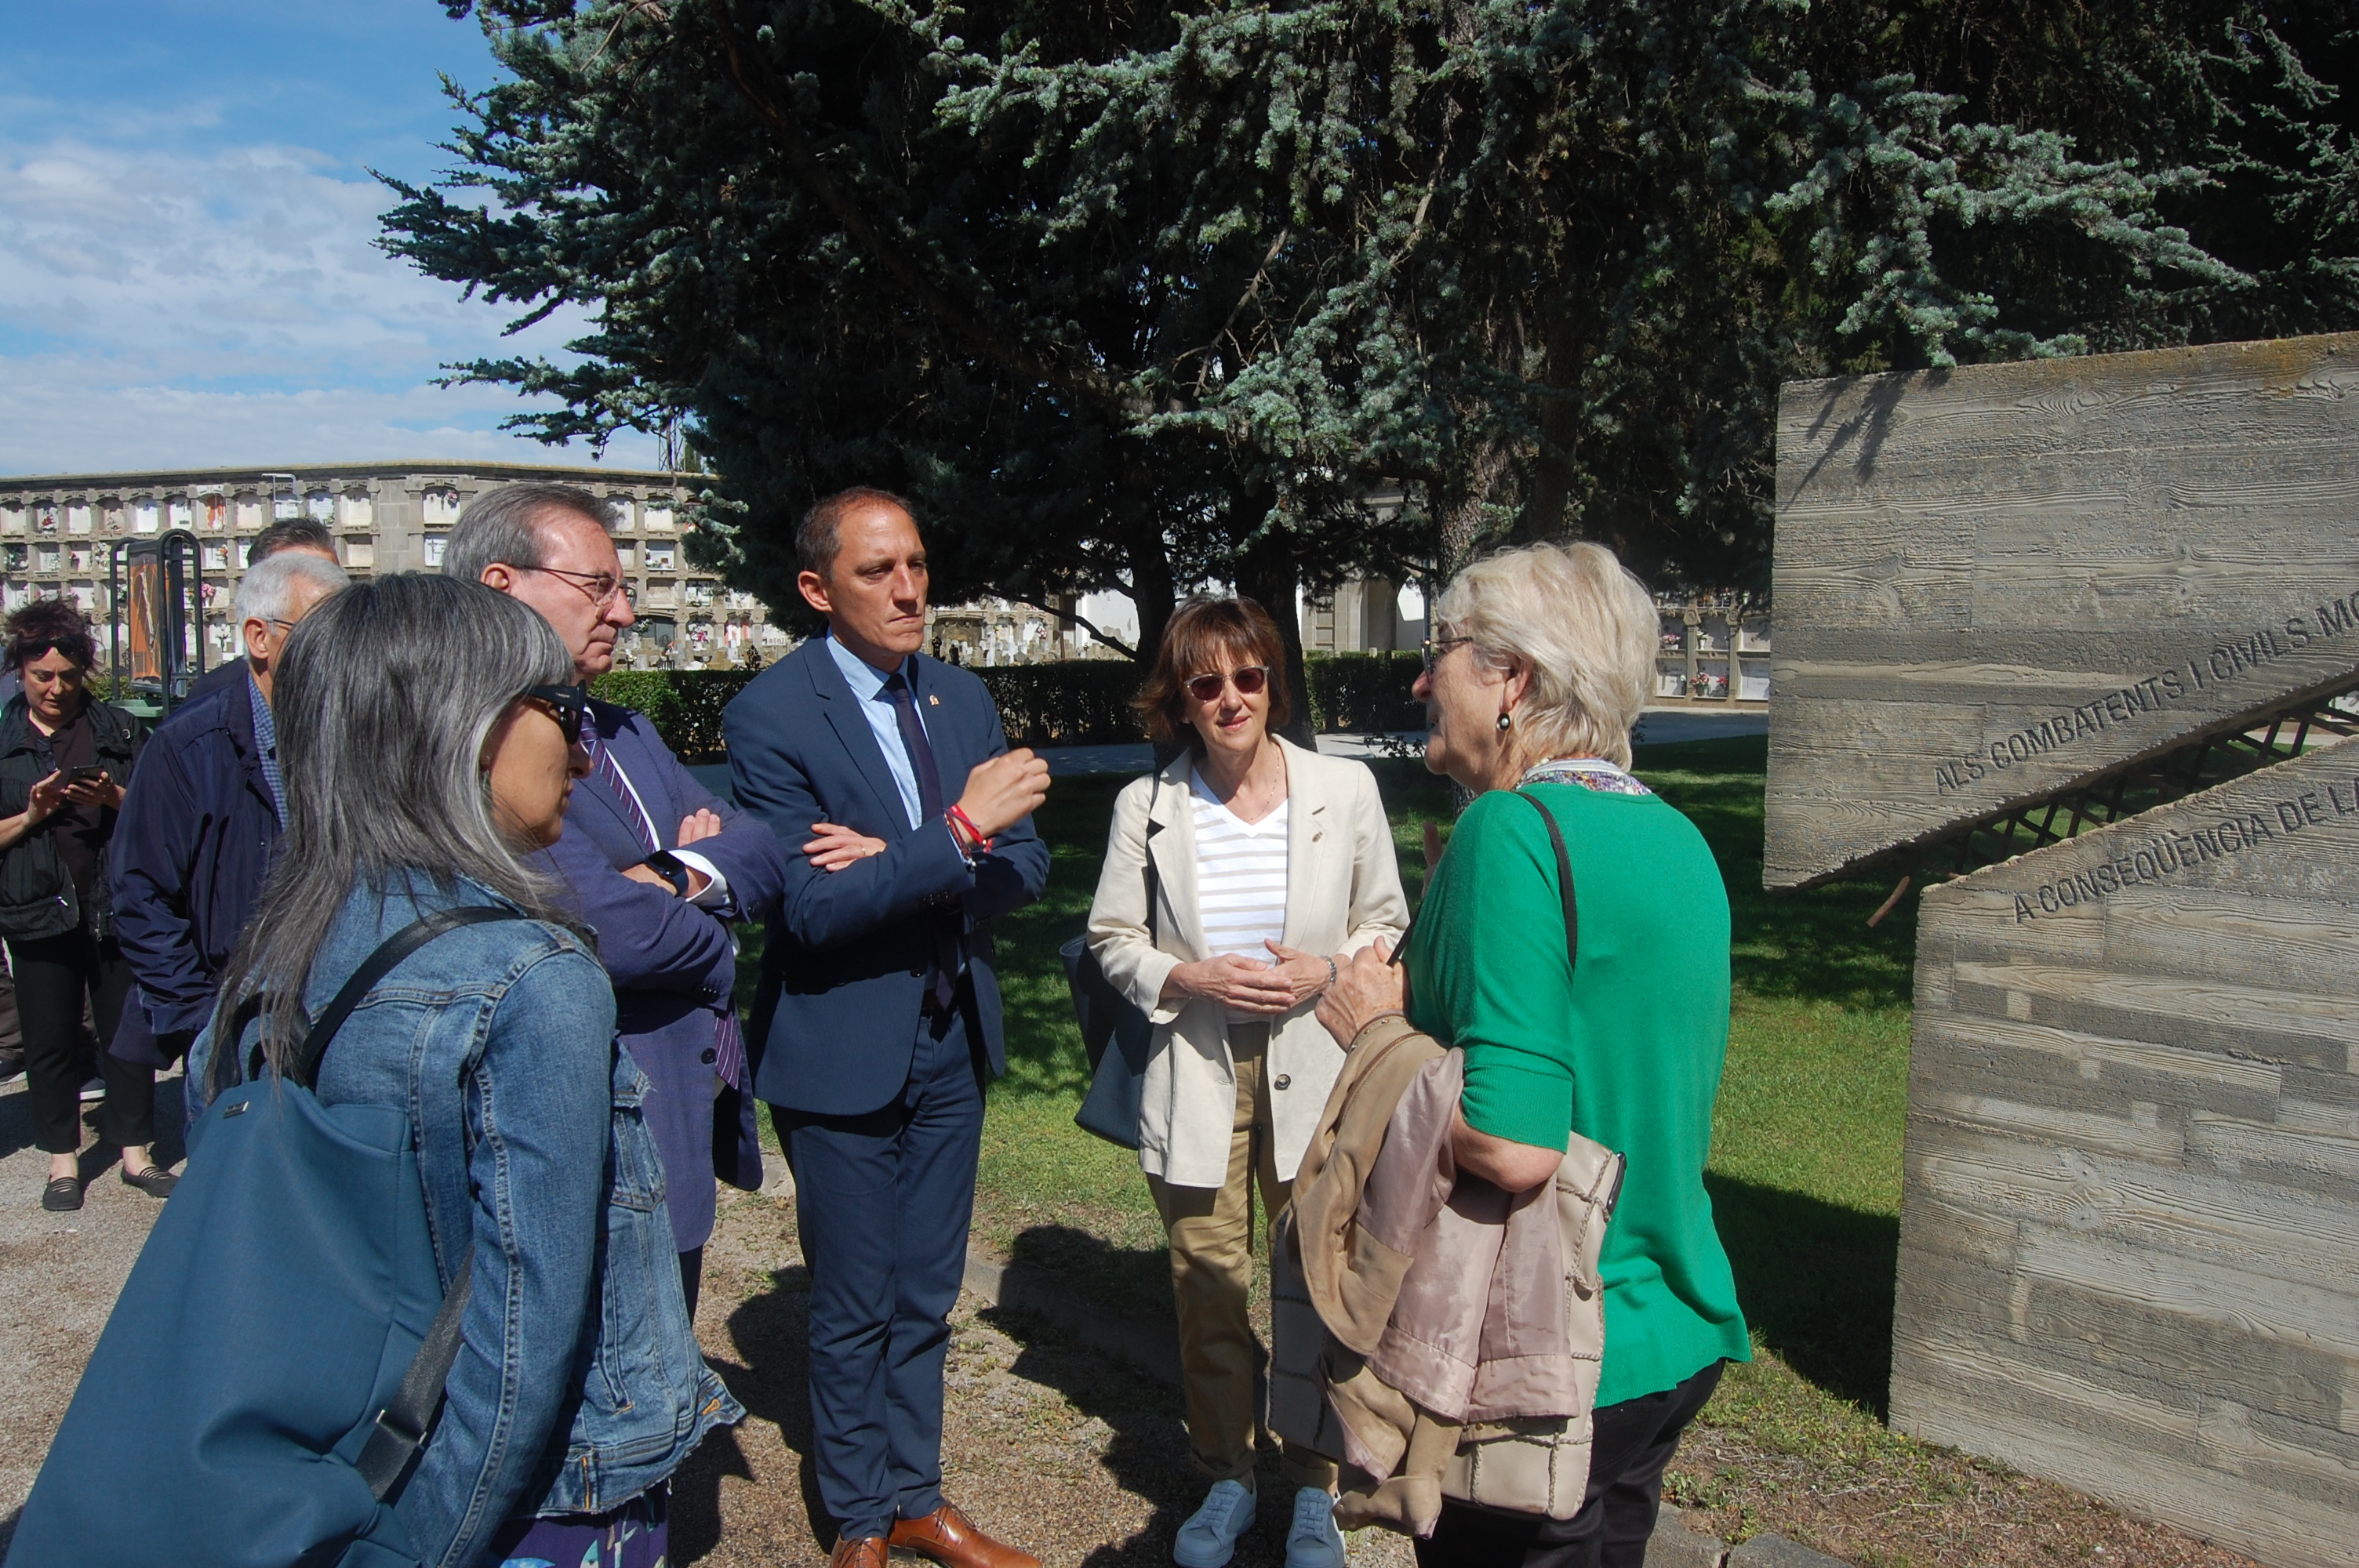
1537	671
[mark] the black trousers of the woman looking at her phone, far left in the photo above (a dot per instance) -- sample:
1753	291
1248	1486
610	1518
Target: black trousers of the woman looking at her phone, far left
53	980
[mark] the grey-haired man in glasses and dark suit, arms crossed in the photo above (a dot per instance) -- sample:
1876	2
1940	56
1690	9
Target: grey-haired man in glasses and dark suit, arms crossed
655	862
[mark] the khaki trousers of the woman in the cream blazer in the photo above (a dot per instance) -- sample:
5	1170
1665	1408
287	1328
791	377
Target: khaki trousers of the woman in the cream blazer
1214	1277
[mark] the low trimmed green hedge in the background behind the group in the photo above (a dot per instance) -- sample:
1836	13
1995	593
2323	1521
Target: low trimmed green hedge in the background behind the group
1079	704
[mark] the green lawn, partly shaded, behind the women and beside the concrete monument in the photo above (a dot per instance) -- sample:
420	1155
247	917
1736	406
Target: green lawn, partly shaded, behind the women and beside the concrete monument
1808	1140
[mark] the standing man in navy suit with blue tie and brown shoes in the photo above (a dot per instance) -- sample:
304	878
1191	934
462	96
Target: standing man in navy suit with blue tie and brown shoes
907	824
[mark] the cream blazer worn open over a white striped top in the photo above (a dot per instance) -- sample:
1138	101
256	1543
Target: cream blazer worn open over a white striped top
1343	890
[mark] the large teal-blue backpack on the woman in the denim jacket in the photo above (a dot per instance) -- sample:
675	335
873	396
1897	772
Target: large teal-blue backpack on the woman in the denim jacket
280	1348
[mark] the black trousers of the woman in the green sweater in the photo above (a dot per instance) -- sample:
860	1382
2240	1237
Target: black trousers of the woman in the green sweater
1634	1442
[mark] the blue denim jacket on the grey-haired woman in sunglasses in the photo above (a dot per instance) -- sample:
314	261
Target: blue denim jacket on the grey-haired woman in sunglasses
579	1383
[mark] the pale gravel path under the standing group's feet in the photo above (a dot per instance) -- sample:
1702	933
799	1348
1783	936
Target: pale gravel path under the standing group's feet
1049	1444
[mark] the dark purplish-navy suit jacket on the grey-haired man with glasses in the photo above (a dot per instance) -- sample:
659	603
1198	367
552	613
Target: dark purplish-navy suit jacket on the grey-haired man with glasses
671	961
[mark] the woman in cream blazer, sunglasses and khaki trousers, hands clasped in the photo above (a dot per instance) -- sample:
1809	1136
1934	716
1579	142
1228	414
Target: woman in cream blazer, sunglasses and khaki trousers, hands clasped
1230	973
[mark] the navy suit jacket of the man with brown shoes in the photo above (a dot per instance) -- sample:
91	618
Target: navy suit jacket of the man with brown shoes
843	973
